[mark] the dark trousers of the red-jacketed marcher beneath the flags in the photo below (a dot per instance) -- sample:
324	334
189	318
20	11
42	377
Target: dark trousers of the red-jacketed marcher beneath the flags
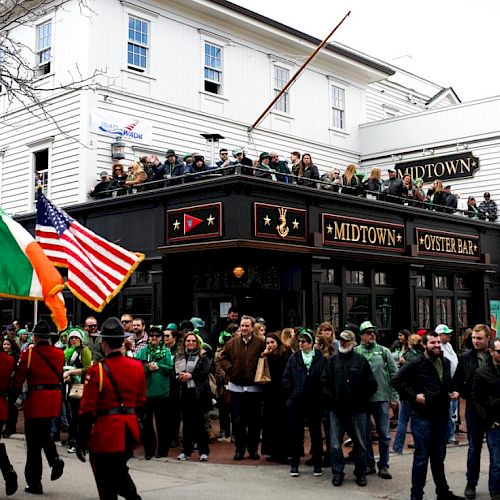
38	438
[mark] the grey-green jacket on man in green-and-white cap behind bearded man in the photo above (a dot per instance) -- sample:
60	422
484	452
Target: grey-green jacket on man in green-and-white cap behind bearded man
383	367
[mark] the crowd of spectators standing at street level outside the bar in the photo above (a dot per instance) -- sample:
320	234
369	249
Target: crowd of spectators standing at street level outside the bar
309	379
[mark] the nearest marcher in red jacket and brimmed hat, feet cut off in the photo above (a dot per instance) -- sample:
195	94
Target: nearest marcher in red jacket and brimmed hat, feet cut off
113	397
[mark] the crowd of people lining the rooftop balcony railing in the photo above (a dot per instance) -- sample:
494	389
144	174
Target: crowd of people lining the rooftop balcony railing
149	173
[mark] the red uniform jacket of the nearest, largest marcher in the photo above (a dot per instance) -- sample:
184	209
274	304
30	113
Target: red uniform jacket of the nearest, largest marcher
109	431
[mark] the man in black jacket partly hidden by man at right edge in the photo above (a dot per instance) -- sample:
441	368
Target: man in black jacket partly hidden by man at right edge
471	360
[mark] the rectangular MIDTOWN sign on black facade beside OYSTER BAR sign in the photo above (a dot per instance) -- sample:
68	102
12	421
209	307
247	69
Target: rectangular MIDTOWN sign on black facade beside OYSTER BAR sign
351	232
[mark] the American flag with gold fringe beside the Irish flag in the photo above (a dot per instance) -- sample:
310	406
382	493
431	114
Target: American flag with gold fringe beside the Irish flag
97	269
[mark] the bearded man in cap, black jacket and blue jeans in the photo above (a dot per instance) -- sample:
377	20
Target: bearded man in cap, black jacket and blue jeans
348	383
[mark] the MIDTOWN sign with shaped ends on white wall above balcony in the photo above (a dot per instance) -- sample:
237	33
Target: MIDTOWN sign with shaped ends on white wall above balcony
447	167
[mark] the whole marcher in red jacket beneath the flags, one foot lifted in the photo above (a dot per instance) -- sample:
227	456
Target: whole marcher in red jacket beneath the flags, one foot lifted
42	368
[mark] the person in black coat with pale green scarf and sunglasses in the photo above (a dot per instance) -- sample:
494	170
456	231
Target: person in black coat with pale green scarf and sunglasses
302	381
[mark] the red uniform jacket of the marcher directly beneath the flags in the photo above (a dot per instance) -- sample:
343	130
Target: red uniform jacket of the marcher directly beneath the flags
41	403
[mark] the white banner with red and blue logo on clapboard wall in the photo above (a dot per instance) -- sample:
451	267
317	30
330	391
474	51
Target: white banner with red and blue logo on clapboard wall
130	128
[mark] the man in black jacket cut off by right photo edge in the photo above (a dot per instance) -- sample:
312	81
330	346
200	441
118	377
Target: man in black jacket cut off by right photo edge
486	397
